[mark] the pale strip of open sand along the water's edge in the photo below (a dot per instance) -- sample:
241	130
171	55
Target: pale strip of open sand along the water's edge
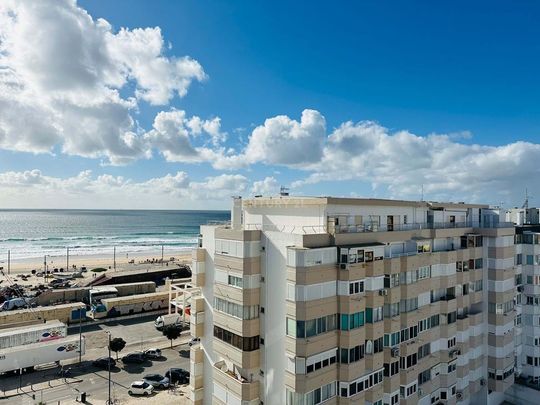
140	258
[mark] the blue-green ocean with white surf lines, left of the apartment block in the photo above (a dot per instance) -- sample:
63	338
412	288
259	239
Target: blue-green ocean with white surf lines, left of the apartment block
34	233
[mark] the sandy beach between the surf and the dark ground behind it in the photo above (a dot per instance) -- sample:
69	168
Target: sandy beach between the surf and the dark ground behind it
142	260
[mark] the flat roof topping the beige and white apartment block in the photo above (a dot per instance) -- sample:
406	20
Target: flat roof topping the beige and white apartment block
302	201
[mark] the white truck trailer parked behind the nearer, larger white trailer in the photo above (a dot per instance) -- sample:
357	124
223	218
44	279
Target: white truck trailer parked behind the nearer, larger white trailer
40	332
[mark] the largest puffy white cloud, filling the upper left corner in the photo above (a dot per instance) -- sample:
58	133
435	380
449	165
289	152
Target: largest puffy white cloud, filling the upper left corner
61	77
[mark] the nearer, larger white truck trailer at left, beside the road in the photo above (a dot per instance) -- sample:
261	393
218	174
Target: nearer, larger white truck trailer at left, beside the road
25	357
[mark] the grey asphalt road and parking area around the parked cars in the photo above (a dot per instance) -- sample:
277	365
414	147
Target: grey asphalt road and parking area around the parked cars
94	381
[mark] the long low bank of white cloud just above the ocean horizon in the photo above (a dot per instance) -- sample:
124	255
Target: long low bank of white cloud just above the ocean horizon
34	189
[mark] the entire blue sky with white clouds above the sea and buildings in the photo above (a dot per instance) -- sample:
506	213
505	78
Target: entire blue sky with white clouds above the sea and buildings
183	104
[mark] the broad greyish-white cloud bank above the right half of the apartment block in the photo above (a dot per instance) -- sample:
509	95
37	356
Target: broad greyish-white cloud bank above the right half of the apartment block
401	163
